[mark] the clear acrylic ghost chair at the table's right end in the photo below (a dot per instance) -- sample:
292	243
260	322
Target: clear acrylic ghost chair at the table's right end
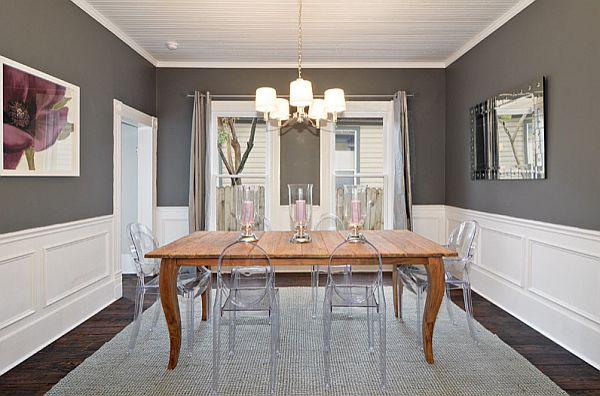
414	277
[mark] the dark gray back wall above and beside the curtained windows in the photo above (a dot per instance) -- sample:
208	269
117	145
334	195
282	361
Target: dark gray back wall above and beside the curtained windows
175	115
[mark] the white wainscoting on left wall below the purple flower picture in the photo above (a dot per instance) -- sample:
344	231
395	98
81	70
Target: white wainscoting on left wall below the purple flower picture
55	278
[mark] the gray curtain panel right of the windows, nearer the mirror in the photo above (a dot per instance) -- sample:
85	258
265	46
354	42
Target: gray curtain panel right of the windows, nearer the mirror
402	181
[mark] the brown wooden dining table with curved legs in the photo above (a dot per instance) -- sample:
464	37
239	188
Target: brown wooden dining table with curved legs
397	247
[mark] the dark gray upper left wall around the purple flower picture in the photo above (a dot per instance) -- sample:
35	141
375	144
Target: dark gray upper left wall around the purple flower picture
58	38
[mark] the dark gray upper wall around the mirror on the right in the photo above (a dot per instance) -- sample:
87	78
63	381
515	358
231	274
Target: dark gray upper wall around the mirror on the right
559	39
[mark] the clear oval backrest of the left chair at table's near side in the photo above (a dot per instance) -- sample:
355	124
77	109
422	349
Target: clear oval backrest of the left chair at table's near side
245	267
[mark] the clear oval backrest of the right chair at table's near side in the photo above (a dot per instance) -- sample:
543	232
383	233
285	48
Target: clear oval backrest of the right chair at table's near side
355	271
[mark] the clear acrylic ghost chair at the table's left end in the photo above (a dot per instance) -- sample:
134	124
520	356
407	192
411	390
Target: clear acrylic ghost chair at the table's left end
190	283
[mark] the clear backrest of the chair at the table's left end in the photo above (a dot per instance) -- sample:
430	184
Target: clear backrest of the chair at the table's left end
142	241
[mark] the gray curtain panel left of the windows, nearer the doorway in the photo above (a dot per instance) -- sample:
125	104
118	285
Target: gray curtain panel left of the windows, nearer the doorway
198	162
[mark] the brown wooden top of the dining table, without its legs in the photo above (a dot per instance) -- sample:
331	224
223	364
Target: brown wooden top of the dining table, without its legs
395	247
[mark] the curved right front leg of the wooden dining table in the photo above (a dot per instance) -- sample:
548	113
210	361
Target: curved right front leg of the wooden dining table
435	293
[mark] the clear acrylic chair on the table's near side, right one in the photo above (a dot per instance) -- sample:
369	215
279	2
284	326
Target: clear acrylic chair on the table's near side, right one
365	291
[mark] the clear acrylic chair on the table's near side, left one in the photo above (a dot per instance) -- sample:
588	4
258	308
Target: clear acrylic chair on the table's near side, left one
245	283
